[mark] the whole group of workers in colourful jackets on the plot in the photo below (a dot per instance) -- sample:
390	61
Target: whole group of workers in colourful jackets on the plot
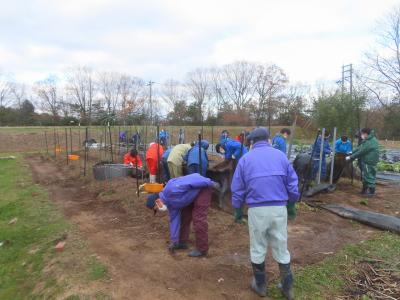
263	179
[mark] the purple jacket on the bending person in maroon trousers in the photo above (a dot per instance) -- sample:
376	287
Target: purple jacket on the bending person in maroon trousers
179	193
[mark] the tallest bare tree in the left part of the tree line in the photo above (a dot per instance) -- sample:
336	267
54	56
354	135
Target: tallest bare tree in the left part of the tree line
81	91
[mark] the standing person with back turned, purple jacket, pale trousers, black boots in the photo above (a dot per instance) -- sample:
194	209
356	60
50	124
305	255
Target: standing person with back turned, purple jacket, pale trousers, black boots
265	180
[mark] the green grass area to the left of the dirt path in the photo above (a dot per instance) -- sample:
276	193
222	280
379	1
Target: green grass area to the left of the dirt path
29	265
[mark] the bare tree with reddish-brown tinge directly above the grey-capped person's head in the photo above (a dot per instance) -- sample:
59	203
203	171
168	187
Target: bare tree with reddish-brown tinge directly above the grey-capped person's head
269	82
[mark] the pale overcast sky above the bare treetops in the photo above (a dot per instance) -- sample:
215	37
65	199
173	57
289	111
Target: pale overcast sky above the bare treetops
309	39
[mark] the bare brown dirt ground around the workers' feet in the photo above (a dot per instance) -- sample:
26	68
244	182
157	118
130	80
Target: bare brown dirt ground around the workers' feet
132	243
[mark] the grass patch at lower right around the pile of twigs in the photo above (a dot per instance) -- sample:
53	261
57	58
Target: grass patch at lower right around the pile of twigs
327	279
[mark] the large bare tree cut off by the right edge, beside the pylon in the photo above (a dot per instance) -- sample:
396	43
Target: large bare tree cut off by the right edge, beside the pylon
382	77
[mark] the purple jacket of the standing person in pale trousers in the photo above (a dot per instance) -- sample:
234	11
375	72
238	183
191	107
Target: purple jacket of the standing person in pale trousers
264	177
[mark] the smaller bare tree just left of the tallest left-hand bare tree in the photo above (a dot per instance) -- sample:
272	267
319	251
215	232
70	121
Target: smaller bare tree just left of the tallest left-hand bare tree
46	90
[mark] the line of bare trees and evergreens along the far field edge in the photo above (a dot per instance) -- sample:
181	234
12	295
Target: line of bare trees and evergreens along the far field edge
238	93
